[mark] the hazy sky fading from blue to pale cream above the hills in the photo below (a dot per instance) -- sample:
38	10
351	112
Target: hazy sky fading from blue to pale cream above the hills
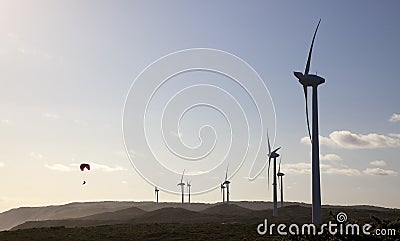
67	68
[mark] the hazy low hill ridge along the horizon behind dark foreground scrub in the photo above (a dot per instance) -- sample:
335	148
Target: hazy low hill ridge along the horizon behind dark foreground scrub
104	213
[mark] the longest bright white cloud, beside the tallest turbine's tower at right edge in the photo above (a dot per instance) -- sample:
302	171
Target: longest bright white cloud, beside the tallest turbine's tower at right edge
348	140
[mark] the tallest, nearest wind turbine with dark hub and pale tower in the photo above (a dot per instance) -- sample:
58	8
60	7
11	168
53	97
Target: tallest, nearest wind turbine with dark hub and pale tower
312	80
